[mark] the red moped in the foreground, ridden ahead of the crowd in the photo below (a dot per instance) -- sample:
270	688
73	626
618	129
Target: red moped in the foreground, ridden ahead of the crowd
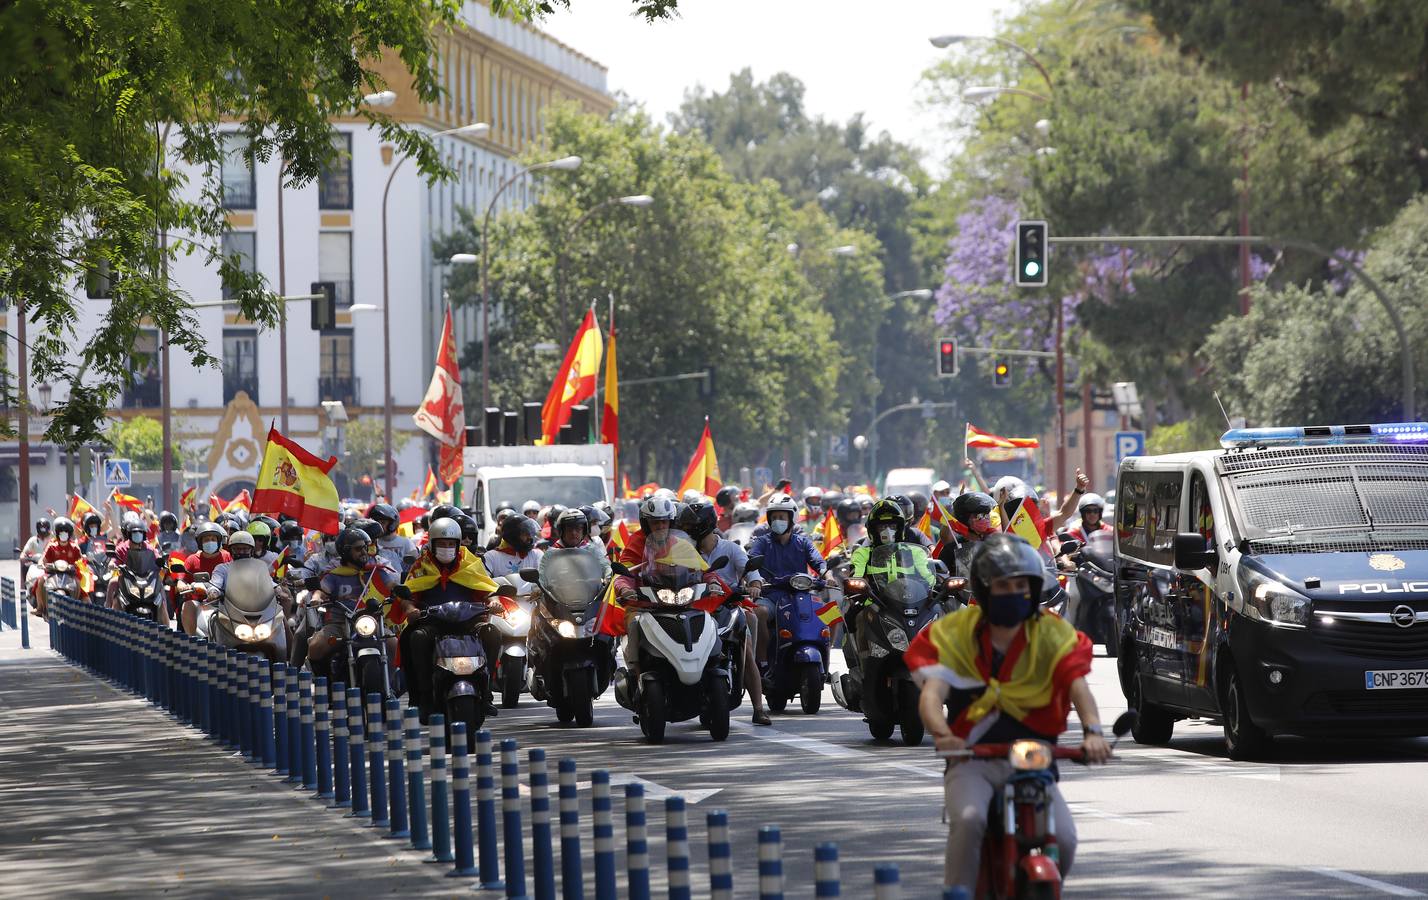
1020	855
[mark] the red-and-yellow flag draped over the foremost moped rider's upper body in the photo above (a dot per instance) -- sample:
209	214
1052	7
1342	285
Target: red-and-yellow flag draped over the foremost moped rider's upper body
1055	655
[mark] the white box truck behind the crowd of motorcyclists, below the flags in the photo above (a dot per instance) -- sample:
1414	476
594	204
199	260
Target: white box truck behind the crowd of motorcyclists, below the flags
569	475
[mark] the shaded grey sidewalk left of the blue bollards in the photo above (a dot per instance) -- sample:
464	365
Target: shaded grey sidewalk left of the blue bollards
104	795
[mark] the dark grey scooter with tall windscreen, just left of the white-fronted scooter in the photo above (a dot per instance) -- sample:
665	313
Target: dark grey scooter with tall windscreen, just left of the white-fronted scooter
570	662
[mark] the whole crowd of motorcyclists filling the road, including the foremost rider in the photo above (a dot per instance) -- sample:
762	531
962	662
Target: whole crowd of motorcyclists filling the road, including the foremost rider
680	602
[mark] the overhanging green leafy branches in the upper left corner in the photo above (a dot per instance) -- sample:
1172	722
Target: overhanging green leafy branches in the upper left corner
111	131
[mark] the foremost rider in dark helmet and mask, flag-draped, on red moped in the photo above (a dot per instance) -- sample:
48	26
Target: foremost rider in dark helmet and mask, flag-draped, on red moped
1000	672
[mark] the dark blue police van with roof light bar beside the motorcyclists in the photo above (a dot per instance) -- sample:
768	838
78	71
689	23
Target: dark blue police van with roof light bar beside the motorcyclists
1279	585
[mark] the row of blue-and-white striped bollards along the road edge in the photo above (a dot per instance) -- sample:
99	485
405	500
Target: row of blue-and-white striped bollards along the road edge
373	758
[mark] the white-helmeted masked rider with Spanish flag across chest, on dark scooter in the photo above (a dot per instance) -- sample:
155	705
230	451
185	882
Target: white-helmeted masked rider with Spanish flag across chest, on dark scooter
445	572
